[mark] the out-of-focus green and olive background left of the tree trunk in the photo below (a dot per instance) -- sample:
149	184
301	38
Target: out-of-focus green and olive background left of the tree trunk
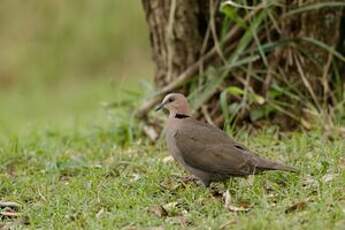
61	60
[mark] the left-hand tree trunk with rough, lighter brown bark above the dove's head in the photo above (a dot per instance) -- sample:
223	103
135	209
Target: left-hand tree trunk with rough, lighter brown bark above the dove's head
177	29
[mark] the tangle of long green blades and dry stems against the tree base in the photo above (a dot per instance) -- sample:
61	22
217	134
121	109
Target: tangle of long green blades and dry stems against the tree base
250	68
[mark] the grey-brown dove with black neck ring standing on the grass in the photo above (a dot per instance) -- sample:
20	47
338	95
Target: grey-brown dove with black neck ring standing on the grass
206	151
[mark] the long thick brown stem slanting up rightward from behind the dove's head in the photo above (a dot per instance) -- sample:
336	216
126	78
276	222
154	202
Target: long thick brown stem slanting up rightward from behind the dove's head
193	69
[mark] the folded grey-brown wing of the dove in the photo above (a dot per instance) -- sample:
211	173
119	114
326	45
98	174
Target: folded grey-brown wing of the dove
207	148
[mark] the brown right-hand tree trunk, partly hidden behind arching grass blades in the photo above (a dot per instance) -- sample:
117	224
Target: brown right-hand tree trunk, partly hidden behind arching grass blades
323	25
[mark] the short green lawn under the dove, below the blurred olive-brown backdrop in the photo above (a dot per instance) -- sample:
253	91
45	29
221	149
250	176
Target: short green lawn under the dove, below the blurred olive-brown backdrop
70	162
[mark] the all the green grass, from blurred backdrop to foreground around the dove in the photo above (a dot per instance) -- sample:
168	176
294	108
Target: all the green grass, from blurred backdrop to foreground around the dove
73	164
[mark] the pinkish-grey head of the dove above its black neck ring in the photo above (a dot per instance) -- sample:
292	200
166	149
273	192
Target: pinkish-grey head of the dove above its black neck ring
176	103
